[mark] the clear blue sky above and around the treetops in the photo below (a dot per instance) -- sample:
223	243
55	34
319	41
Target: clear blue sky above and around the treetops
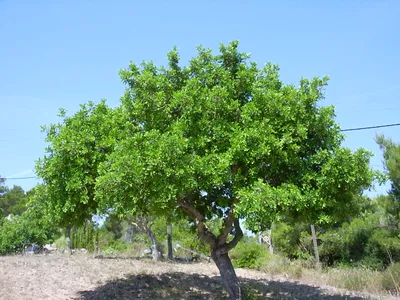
57	54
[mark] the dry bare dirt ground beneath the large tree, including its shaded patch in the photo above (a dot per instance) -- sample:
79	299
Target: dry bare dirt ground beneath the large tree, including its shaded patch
76	277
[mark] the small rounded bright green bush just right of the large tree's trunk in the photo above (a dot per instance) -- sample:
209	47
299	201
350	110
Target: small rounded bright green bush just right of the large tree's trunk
249	255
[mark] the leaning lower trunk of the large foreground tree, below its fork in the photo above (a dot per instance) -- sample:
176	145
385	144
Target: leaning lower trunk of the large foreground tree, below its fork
228	274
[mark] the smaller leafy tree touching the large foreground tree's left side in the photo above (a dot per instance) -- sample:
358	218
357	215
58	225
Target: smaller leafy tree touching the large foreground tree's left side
70	167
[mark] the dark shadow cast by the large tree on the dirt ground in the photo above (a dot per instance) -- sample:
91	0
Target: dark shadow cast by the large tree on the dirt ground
177	285
